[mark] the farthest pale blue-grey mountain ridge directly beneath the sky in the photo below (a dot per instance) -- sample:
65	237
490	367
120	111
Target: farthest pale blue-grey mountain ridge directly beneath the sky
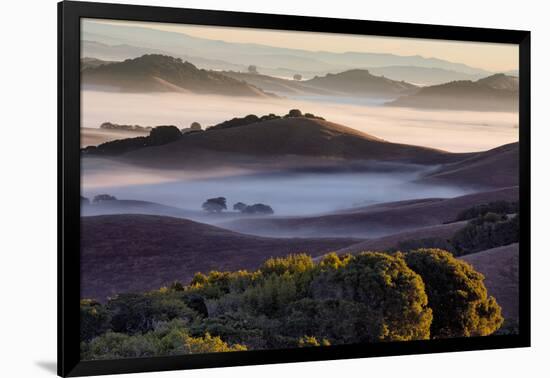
268	57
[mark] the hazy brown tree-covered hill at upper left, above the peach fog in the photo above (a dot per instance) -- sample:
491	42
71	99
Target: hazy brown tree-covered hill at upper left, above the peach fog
162	73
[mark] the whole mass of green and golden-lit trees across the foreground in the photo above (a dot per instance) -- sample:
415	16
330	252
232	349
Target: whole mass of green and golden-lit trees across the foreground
297	302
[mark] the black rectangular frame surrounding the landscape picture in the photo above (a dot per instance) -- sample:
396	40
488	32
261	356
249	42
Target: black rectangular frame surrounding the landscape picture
69	15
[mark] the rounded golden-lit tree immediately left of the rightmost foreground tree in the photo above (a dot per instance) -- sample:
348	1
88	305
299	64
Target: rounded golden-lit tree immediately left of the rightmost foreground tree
392	295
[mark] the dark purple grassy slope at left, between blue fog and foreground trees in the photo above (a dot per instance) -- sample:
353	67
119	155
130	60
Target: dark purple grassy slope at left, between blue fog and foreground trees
136	253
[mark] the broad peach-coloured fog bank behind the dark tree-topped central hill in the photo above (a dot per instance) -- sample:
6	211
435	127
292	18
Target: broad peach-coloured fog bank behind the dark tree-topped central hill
455	131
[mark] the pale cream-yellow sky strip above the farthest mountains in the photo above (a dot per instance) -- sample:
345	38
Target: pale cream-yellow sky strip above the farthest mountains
489	56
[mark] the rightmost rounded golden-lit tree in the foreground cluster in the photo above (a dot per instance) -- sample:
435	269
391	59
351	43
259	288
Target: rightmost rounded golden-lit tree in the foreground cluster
457	295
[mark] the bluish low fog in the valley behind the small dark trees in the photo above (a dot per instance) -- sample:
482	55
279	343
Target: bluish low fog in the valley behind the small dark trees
294	193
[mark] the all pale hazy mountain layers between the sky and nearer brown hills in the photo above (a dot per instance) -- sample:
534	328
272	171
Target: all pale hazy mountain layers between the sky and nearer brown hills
114	42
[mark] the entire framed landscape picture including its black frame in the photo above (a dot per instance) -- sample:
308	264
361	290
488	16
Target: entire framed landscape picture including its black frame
240	188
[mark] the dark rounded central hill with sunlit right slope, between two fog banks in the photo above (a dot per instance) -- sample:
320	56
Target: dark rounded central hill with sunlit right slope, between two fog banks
283	141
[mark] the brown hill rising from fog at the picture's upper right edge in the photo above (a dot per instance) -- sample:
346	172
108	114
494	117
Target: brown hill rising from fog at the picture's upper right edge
494	93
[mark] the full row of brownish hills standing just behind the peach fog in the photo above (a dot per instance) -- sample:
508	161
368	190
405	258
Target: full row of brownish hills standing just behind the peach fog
163	73
